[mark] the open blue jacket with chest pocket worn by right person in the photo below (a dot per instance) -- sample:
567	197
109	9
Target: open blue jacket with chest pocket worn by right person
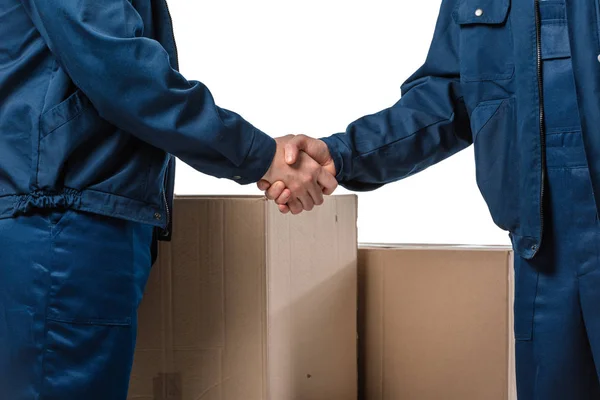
481	84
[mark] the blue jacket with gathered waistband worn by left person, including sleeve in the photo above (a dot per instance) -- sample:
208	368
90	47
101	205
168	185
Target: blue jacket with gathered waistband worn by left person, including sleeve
92	109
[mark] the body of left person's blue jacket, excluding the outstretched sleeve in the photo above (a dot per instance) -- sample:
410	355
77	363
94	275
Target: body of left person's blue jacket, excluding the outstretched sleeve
55	150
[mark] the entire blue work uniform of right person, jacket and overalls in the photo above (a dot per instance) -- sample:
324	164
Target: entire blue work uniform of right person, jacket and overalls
519	79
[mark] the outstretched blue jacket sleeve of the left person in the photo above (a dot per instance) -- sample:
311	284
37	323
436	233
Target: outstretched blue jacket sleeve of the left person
131	83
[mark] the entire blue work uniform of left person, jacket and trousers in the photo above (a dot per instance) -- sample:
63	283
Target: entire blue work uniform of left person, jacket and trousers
93	111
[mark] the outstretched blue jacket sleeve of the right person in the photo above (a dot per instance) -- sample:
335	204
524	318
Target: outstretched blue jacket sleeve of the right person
428	124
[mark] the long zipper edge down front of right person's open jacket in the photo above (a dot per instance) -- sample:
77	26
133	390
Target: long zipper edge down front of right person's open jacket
540	79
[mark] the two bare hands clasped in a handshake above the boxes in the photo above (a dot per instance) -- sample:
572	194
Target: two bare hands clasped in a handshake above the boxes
302	171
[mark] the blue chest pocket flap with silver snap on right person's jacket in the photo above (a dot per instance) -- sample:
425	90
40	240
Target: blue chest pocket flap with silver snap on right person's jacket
492	12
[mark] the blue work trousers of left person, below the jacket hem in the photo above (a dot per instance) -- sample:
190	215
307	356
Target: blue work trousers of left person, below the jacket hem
70	285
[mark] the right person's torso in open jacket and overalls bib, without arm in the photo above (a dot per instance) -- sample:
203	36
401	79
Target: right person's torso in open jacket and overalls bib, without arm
505	50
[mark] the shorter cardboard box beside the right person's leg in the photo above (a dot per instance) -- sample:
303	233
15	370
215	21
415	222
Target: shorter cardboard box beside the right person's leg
435	323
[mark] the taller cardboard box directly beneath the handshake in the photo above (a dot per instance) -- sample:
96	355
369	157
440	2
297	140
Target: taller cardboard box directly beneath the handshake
248	304
